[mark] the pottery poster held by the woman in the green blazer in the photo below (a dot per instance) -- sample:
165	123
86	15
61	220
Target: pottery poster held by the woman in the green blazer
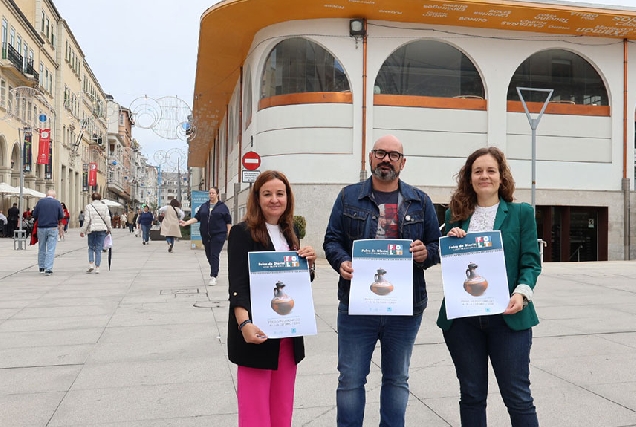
474	274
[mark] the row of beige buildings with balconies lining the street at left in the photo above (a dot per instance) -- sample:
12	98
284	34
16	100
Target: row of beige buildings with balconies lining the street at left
46	85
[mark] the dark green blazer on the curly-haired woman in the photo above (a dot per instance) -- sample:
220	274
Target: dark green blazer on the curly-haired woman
521	251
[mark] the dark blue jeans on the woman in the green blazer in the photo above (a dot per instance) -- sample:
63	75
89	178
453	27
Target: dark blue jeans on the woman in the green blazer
471	341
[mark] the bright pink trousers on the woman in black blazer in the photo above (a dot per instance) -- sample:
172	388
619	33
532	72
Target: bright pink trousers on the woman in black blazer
266	397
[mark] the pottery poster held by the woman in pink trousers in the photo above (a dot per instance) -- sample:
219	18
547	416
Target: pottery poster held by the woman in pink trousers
282	299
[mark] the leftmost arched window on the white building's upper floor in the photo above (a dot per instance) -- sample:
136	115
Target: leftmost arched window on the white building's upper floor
298	65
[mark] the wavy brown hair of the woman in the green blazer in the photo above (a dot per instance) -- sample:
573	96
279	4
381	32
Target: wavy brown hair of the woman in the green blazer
464	199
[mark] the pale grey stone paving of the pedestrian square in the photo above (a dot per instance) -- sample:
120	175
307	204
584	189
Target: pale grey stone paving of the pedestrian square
144	345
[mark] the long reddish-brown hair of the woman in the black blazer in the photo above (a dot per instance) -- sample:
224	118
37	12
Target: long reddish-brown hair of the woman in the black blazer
255	219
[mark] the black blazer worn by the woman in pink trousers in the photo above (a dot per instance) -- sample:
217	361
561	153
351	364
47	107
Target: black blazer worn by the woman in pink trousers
260	356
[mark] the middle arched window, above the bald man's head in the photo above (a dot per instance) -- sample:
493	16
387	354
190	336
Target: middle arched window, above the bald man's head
429	68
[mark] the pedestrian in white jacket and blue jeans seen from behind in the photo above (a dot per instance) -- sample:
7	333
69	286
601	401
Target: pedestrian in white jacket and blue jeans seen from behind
98	224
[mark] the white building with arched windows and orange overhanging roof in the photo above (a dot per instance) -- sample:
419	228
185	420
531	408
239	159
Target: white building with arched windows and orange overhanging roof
313	89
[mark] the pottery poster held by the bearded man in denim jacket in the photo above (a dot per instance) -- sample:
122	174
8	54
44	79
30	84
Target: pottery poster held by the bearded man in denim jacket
382	277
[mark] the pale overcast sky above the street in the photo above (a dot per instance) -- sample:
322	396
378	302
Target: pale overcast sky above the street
149	48
